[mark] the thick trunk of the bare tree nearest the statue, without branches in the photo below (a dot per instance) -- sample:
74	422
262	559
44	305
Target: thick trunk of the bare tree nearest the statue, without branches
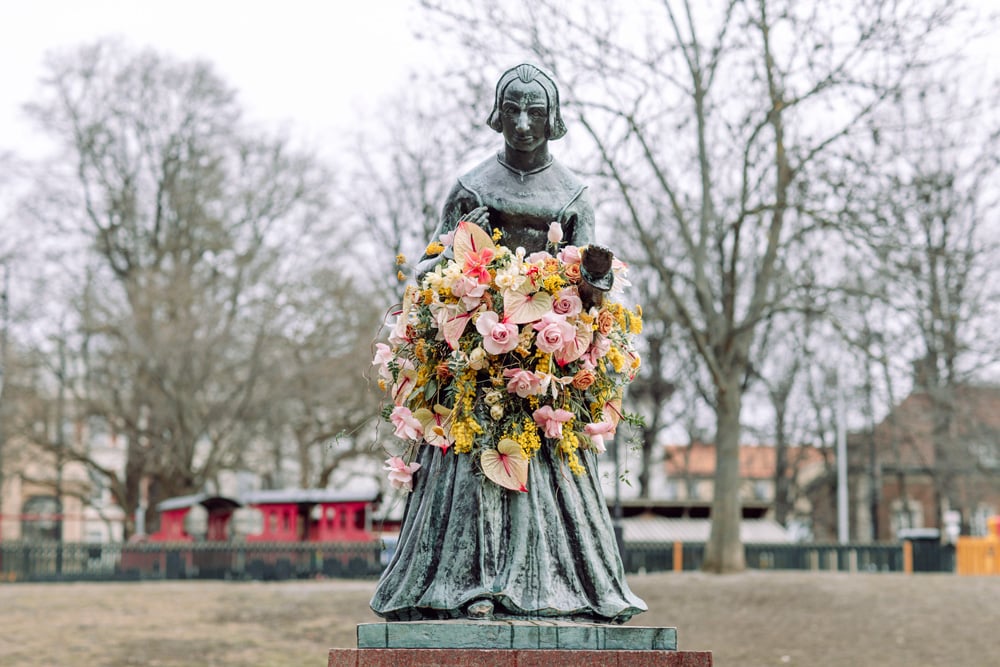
724	551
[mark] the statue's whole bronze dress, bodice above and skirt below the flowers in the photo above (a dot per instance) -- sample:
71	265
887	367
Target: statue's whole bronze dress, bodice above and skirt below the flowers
550	552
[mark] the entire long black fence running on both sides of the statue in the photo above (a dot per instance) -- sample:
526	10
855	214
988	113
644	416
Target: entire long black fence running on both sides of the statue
54	561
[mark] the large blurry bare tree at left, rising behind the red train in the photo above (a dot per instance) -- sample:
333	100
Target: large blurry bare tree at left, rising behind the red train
186	212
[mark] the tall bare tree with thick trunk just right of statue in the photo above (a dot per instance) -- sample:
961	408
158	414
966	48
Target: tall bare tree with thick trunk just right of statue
709	125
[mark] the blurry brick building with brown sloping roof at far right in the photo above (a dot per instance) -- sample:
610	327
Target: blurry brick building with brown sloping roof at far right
933	461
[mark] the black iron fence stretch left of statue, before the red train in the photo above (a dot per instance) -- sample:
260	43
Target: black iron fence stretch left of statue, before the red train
55	561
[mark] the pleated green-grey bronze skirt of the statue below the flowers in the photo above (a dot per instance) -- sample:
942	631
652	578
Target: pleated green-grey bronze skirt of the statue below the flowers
547	553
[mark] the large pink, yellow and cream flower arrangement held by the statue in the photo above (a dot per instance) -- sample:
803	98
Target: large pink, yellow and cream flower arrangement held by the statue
493	355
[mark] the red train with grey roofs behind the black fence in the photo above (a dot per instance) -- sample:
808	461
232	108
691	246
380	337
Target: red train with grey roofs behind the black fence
275	534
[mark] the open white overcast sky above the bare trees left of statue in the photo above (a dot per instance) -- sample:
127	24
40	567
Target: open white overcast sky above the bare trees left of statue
307	63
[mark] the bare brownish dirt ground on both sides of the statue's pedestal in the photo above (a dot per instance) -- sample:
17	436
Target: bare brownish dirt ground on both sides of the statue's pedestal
747	620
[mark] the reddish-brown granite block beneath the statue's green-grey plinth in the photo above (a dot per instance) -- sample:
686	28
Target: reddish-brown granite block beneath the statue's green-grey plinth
428	657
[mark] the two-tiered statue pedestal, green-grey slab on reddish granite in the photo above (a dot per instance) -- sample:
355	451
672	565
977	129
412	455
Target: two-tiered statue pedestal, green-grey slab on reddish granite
515	644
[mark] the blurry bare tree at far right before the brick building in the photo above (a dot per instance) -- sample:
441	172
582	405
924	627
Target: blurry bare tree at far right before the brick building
932	257
